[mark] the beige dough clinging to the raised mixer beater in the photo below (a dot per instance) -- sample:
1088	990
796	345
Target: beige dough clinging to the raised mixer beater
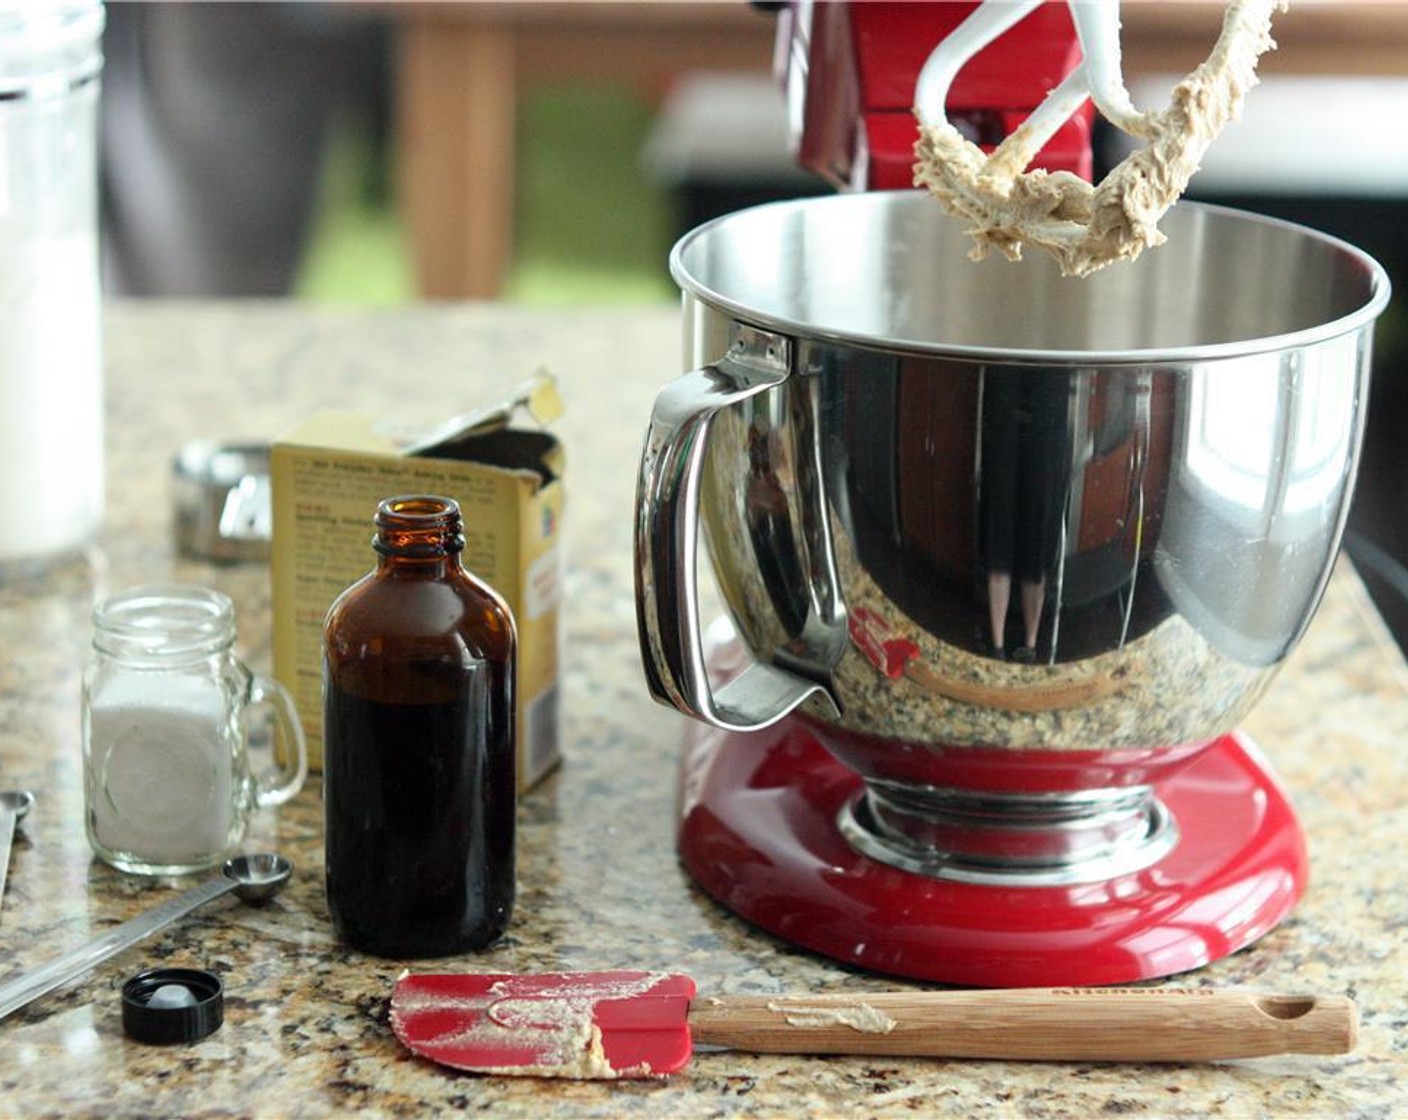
1088	228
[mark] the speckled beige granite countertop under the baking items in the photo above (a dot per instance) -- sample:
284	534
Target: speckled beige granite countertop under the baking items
306	1029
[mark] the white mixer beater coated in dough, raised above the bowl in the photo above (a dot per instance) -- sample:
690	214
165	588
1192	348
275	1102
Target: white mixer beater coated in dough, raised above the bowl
1085	228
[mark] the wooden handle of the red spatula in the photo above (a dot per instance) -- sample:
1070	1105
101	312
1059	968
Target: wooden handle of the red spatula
1150	1025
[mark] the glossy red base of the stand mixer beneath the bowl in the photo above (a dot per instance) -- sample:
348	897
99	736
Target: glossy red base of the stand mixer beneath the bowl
758	832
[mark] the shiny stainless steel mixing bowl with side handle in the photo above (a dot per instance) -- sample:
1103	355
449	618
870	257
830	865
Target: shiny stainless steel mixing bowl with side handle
1000	535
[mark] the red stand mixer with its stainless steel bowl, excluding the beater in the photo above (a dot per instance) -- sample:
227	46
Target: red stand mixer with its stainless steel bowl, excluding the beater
1007	556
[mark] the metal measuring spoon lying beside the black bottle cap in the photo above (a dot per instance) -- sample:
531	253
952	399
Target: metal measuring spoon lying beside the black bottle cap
254	878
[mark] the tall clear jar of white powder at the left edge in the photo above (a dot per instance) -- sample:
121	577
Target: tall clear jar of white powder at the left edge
51	371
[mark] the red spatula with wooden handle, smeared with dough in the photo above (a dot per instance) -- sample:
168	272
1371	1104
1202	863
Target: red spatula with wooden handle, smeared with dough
641	1025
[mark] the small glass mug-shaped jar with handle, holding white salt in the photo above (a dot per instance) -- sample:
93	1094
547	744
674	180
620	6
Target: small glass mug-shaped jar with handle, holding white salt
167	711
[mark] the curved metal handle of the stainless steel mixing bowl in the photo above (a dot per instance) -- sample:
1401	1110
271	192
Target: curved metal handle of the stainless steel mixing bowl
667	545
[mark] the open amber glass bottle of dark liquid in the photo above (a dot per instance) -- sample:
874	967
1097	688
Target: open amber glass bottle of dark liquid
419	745
